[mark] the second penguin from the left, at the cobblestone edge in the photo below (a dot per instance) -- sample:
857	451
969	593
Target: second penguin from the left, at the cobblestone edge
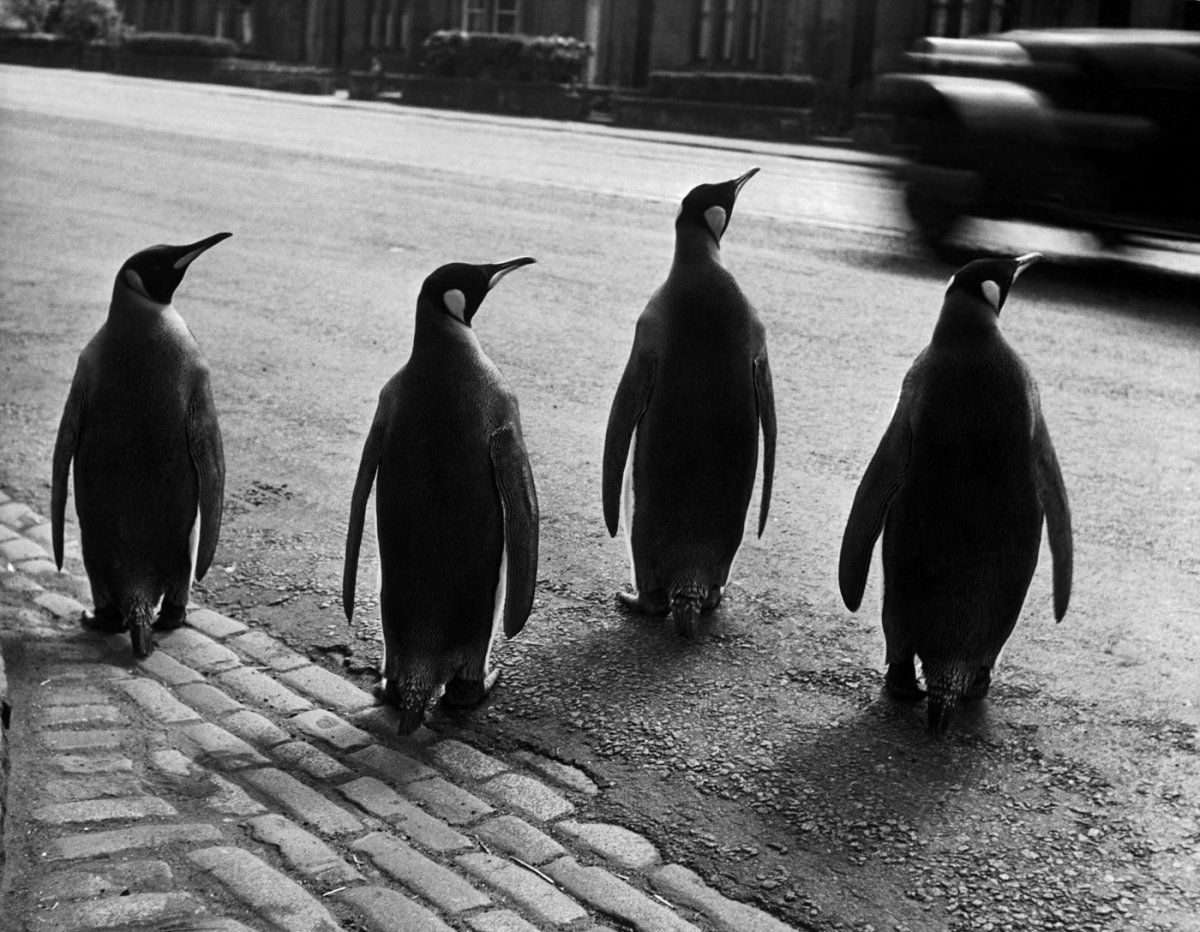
457	510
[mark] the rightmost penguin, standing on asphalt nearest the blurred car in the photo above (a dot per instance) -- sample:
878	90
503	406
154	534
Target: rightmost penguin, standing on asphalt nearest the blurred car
961	485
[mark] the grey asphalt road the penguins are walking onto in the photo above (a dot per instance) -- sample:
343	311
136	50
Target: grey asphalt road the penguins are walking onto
763	754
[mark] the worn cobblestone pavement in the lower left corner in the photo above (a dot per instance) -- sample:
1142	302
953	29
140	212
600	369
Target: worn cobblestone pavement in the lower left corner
227	784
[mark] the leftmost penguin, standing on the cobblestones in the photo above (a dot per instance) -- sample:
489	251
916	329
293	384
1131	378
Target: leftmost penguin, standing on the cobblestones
141	426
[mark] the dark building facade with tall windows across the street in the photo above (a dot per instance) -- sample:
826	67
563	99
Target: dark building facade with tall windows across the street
842	43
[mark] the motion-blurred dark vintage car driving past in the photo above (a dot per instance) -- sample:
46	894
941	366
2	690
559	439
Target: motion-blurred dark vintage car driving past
1088	129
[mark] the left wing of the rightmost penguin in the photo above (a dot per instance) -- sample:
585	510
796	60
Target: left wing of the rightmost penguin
884	477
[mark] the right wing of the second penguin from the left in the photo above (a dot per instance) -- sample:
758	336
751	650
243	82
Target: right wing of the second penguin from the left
519	501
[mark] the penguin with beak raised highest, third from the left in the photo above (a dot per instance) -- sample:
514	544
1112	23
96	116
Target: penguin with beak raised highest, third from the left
682	443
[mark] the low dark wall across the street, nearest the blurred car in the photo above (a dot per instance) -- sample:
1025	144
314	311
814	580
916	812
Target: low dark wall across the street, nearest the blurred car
778	124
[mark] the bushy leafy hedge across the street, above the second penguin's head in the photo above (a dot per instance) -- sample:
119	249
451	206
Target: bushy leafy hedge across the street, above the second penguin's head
503	57
